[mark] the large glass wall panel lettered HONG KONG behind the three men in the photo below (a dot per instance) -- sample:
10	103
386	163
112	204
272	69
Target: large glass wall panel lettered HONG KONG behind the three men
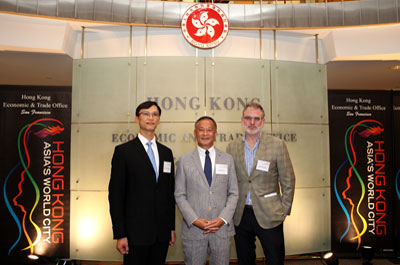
107	91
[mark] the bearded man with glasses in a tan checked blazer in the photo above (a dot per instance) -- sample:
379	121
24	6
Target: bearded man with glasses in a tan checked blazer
266	187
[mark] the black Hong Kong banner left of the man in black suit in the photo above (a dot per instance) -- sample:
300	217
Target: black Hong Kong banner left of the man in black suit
35	132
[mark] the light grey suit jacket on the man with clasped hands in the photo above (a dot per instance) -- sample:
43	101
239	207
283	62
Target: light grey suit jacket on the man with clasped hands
196	199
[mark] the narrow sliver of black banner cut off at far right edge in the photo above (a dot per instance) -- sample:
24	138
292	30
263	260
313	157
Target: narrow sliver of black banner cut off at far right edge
396	134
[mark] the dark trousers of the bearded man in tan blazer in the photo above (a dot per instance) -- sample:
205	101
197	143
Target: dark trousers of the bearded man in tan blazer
272	241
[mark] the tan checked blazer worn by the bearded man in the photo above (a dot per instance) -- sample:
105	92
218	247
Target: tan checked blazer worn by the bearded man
272	190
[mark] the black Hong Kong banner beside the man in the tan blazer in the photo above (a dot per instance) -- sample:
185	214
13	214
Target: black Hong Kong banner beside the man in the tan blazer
361	159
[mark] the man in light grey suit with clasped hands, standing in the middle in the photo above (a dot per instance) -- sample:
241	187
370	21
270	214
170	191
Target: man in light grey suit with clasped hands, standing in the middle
206	193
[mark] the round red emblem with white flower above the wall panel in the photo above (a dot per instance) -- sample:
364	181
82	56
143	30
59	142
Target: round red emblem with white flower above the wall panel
204	26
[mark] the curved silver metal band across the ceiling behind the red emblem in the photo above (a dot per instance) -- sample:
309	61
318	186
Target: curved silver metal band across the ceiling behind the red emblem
325	14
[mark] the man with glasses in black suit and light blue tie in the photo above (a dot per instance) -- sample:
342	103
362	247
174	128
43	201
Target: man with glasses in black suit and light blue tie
141	193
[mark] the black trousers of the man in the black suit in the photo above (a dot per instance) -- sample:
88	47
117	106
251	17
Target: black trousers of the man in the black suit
147	255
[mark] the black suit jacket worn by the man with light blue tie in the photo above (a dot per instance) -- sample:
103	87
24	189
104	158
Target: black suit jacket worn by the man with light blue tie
141	208
